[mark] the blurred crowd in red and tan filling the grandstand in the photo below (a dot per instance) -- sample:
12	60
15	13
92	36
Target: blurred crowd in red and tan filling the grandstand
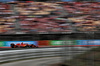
47	17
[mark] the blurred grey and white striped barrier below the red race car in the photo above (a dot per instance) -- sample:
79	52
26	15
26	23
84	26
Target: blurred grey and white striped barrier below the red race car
13	55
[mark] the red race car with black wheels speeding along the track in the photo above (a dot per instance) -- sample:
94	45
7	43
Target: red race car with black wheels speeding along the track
23	45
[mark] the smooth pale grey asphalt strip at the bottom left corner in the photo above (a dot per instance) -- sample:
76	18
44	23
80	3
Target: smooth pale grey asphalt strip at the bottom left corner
35	62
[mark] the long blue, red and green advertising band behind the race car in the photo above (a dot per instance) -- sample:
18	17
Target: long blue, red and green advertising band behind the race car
51	43
